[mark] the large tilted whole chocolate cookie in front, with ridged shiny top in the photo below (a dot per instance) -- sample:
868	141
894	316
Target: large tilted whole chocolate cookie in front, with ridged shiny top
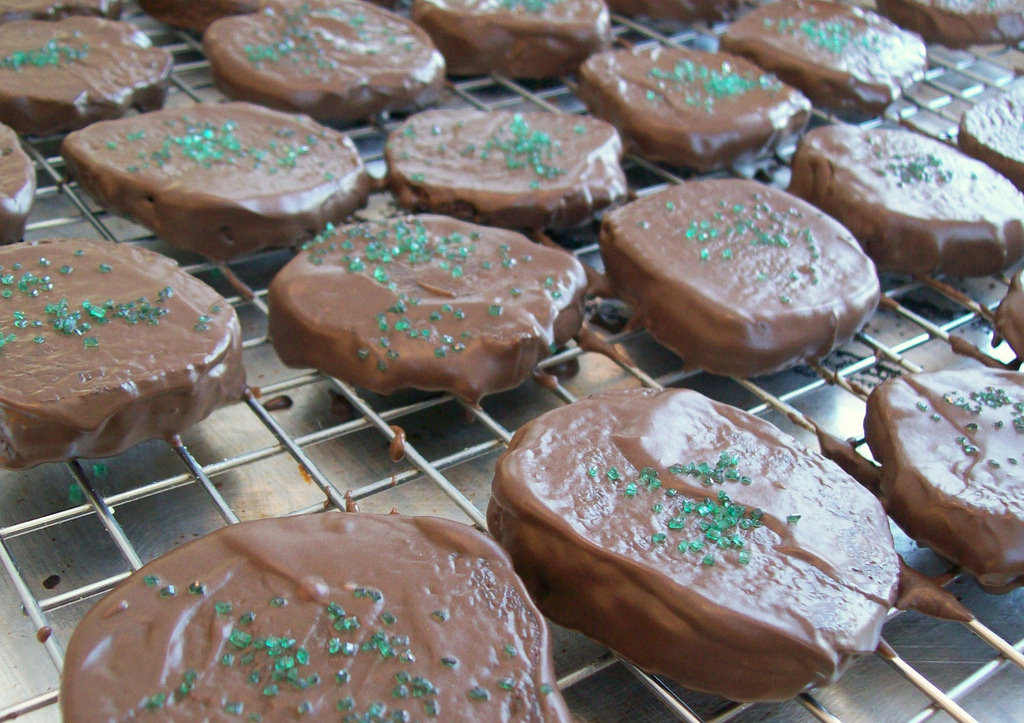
593	500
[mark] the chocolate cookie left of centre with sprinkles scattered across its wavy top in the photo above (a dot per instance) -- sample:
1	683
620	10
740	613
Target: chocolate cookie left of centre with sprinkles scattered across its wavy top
460	308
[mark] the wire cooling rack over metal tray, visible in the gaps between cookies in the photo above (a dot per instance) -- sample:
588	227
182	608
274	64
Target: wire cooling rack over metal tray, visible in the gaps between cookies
300	442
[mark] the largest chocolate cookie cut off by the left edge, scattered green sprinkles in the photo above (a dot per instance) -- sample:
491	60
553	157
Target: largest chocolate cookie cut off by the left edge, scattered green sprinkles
133	375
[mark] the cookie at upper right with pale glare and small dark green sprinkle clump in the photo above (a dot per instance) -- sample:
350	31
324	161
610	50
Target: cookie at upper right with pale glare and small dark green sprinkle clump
915	204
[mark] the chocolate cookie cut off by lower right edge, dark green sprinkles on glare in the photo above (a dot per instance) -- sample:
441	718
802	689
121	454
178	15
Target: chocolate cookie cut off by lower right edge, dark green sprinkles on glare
950	445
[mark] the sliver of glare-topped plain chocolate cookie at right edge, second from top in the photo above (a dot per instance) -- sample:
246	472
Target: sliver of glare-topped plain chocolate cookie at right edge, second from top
992	132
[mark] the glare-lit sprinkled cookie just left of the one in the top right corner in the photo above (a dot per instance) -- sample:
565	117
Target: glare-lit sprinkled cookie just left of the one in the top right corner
843	58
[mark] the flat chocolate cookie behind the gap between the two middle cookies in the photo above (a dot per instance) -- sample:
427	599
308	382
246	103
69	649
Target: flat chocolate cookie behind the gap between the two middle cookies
451	162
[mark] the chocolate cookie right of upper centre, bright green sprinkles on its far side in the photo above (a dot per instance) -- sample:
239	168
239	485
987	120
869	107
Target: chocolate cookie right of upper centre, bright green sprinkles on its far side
690	108
